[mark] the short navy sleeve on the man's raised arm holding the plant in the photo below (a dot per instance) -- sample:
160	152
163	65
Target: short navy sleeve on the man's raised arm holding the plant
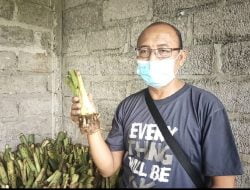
115	138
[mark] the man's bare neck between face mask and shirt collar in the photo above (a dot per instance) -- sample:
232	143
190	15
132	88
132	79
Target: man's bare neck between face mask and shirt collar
167	90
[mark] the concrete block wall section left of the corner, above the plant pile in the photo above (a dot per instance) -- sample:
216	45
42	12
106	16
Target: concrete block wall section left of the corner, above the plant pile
30	84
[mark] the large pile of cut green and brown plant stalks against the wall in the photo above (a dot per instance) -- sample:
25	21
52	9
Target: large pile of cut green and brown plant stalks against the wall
53	163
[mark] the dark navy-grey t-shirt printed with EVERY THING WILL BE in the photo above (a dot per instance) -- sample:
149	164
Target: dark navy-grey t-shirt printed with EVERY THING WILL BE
196	119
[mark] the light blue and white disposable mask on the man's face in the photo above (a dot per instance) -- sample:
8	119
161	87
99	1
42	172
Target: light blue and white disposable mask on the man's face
156	73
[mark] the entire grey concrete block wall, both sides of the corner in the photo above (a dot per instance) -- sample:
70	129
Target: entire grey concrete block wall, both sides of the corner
40	40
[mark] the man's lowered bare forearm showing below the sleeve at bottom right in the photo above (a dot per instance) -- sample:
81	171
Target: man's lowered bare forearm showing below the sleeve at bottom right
223	182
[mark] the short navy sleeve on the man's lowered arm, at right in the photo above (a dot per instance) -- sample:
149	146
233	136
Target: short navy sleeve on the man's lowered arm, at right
220	155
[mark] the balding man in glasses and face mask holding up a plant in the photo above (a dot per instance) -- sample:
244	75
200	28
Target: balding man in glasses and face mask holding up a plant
195	118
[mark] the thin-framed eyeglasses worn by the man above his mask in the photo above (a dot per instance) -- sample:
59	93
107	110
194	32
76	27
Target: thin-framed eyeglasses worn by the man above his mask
145	52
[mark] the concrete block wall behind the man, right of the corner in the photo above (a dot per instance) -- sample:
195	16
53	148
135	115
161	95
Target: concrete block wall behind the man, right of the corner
99	39
